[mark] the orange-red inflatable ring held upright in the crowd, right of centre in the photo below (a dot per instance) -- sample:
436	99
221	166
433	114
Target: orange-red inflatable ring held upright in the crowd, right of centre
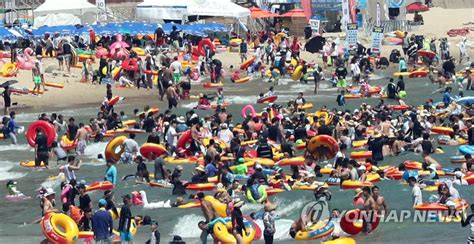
323	146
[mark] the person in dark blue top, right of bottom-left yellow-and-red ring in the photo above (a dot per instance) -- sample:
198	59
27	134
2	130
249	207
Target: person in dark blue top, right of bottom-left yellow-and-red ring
102	223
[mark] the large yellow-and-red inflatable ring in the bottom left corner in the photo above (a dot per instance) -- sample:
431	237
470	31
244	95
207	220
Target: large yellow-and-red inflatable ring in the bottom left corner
59	228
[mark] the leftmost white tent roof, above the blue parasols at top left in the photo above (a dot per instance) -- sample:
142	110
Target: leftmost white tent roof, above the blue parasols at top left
84	10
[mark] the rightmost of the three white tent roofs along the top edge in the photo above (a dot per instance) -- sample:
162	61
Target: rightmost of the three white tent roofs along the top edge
216	8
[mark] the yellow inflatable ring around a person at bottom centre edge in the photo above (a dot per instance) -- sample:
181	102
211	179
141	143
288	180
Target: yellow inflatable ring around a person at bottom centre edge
222	233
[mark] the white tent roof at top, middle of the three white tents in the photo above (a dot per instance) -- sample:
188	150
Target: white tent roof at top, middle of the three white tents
162	9
